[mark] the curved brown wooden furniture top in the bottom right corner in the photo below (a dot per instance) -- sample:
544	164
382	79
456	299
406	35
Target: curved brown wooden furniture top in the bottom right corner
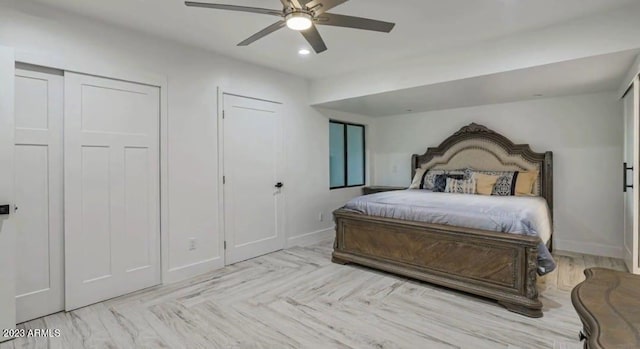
608	304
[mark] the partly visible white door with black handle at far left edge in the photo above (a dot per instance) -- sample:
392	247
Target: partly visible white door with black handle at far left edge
7	231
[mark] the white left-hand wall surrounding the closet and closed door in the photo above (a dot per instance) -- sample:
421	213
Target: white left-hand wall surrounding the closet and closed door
193	75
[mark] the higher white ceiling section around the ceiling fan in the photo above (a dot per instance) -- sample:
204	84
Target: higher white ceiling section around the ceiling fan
422	26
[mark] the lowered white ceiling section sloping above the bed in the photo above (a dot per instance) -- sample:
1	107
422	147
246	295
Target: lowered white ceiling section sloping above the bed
587	75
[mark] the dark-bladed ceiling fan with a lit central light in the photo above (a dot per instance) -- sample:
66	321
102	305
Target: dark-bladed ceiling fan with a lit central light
303	16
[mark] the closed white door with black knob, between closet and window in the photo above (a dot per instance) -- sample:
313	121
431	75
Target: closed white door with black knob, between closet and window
252	158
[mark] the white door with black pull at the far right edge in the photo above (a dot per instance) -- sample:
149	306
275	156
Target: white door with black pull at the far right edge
632	159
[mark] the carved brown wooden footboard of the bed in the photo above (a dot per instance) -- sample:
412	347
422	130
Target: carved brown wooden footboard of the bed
498	266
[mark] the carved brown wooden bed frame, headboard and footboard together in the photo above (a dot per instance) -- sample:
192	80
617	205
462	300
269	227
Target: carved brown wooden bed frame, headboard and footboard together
495	265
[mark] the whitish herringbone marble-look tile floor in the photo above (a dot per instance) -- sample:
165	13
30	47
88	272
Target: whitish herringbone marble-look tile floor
296	298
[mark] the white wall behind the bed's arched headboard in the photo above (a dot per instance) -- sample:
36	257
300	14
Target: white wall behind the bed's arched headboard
584	132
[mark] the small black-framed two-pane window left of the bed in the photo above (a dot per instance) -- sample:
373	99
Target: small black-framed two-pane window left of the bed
346	155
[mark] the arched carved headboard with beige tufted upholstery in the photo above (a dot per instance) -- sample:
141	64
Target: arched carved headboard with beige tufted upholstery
480	148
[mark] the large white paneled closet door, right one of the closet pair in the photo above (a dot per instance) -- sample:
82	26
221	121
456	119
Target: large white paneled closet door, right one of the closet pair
112	210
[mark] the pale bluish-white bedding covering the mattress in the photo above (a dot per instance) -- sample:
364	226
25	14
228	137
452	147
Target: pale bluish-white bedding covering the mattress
522	215
